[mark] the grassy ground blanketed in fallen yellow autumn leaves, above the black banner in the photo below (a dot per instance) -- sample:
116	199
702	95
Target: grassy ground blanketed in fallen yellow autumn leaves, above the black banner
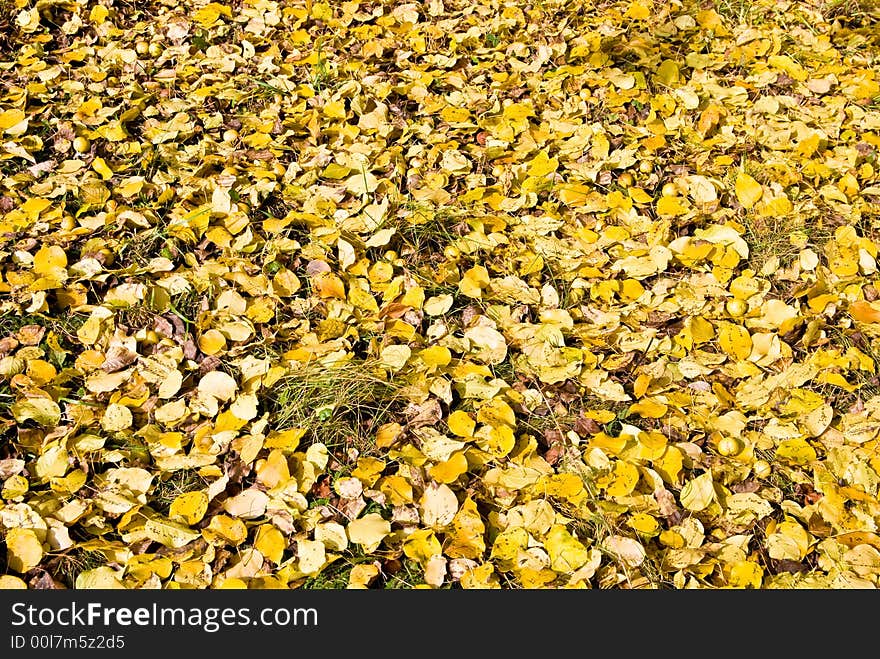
439	294
